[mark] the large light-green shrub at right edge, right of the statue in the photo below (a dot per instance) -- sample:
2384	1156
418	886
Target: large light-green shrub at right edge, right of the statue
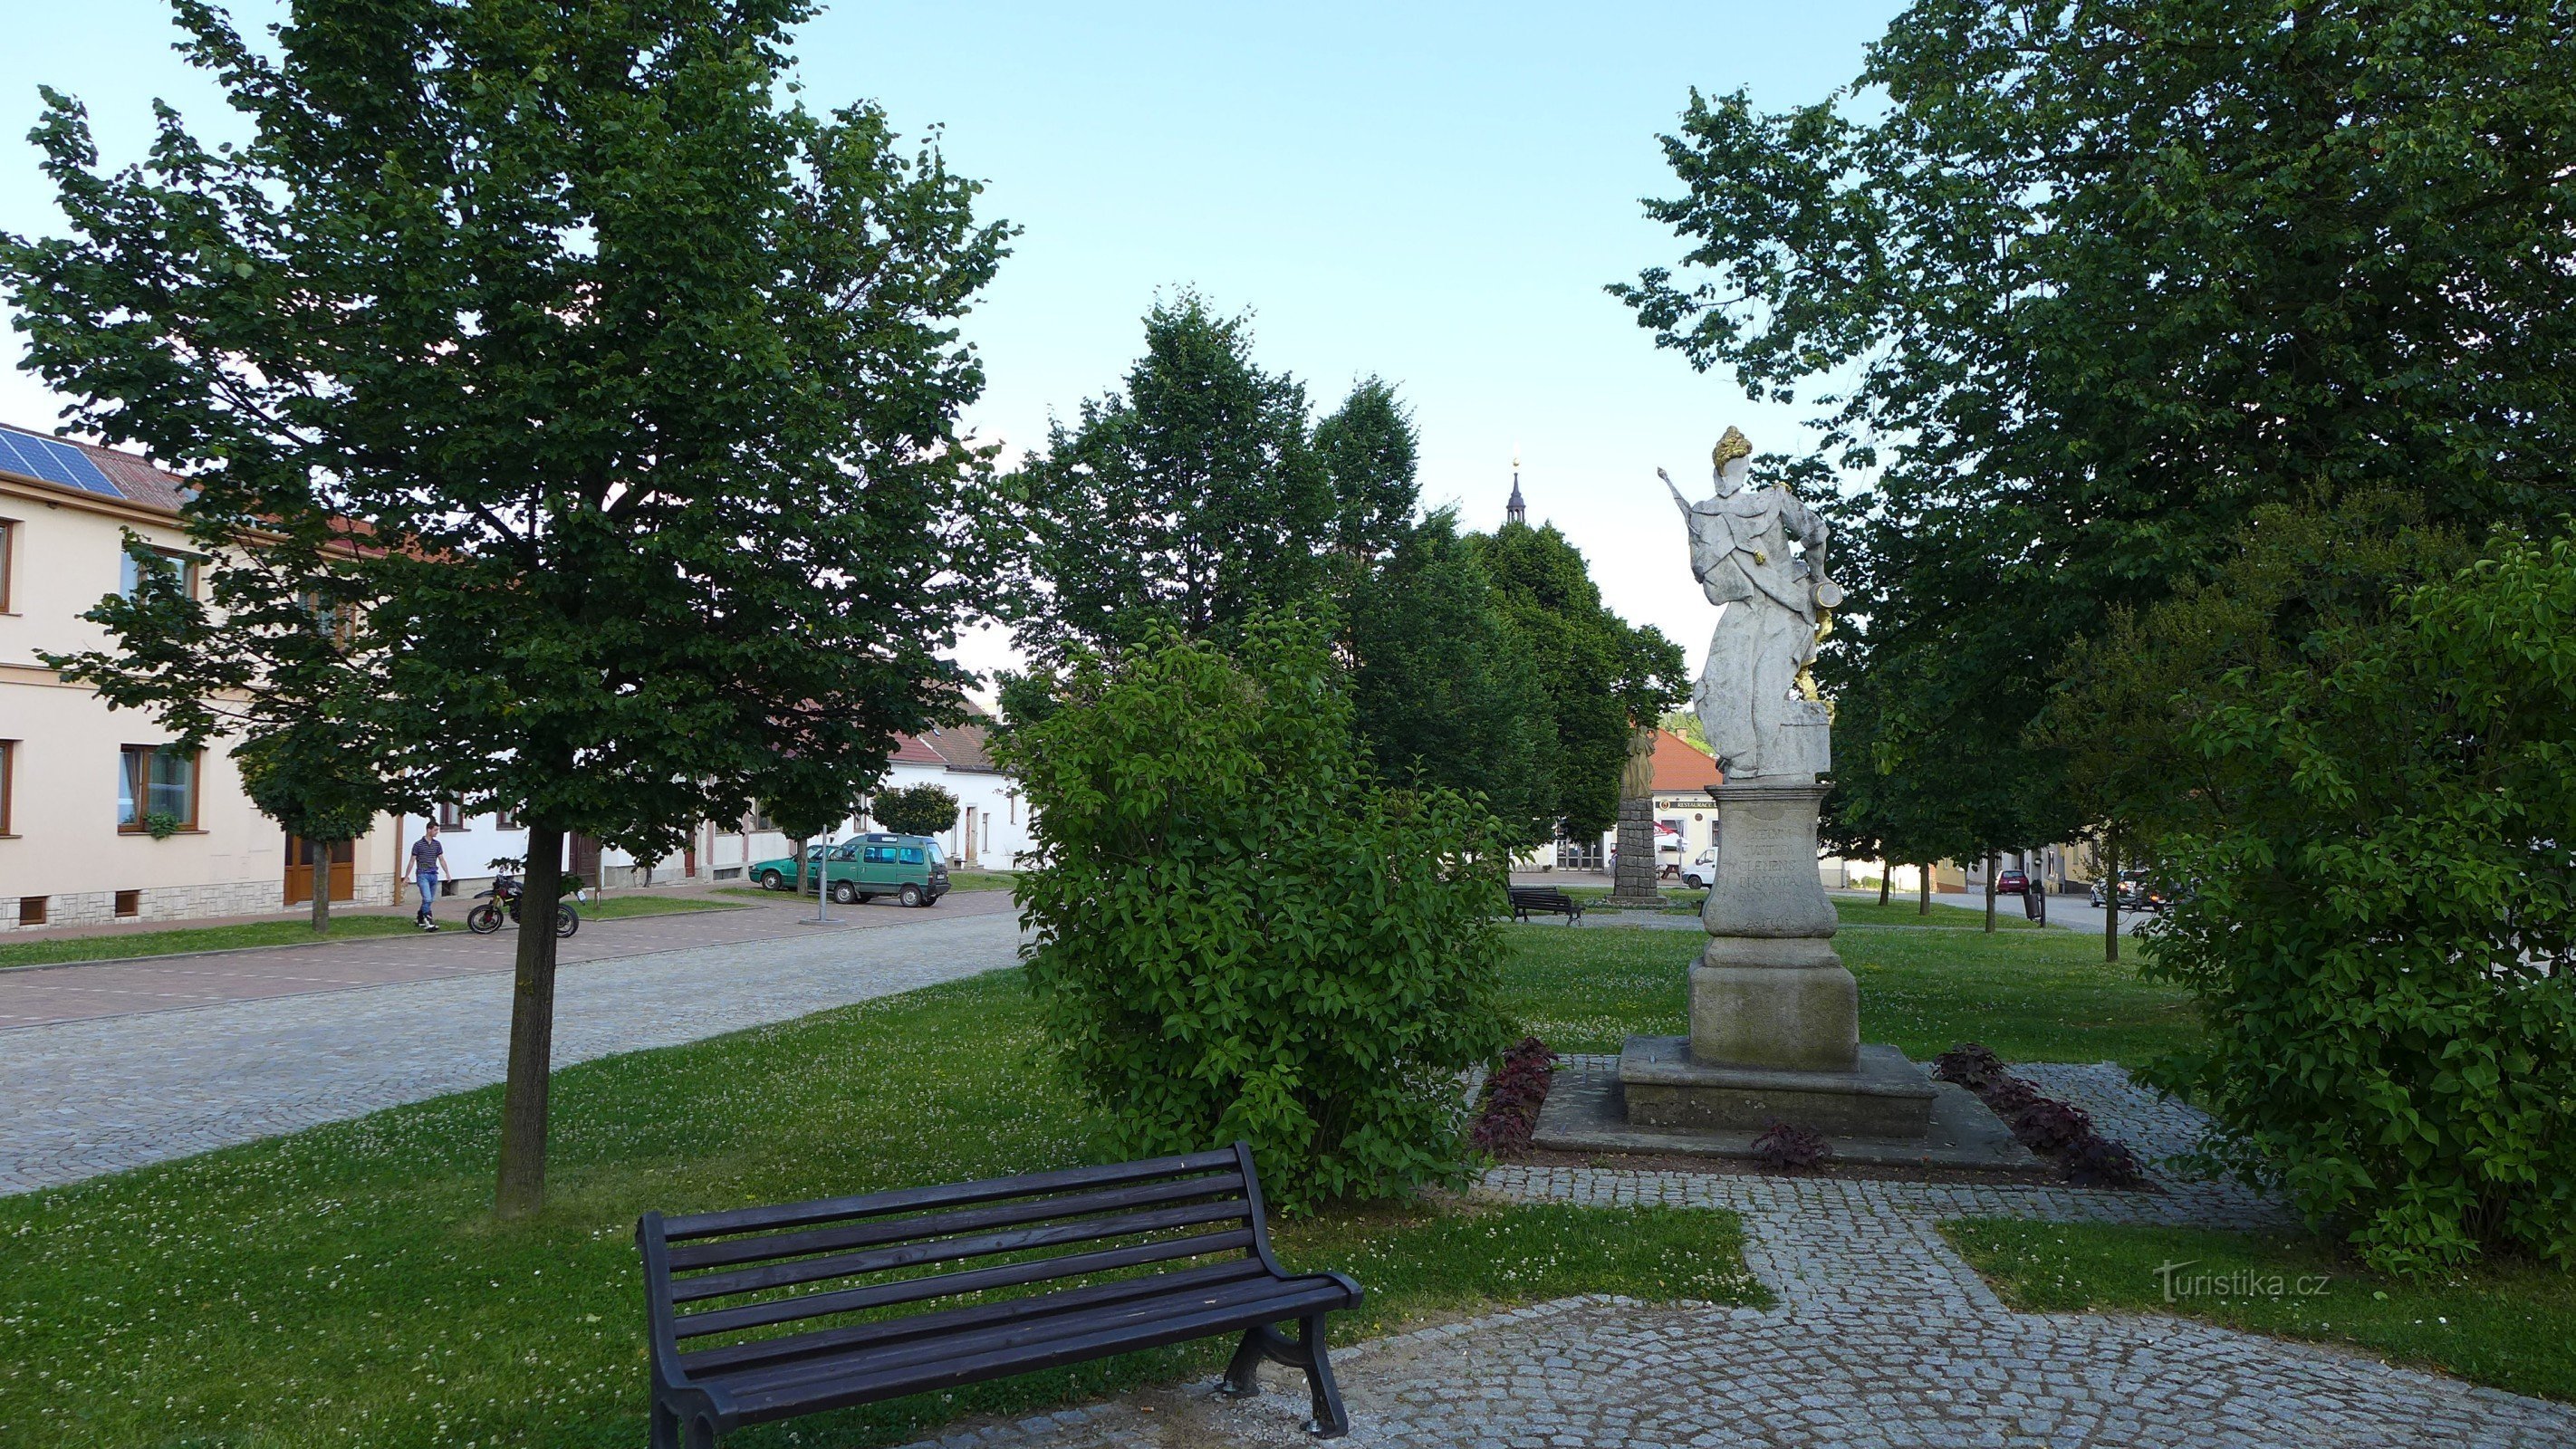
2384	910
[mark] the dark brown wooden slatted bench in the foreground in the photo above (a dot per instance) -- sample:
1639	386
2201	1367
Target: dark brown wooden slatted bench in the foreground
810	1309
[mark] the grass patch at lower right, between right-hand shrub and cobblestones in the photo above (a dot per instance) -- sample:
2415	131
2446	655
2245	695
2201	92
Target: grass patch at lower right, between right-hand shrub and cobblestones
2510	1327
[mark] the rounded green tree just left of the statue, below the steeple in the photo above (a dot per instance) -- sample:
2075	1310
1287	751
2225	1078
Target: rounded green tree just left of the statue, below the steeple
1596	670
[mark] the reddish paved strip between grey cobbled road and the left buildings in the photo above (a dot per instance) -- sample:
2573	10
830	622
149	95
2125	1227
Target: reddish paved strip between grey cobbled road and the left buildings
40	995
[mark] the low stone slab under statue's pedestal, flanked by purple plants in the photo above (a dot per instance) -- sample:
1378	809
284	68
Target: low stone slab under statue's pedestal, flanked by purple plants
1591	1113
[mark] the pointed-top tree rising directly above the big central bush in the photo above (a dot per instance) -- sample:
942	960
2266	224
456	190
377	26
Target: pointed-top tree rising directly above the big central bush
1189	498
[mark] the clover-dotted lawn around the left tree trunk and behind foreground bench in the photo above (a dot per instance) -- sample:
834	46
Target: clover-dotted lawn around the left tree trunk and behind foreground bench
346	1286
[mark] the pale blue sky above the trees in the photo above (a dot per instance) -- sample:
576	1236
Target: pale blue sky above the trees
1434	194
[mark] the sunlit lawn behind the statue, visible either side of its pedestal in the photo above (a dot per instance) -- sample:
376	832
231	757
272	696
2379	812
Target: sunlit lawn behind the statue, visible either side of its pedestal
2029	995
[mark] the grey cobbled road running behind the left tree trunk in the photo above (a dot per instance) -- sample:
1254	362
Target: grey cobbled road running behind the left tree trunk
107	1095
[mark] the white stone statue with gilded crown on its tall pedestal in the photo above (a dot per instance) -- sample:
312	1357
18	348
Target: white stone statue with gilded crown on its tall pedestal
1774	1013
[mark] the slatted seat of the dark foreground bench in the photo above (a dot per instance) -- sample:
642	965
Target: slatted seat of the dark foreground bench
975	1360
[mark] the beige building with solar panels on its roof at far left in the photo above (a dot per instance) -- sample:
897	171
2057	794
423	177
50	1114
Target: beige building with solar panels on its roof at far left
102	820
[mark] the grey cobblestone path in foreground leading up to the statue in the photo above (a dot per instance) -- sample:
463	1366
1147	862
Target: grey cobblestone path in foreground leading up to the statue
1882	1340
